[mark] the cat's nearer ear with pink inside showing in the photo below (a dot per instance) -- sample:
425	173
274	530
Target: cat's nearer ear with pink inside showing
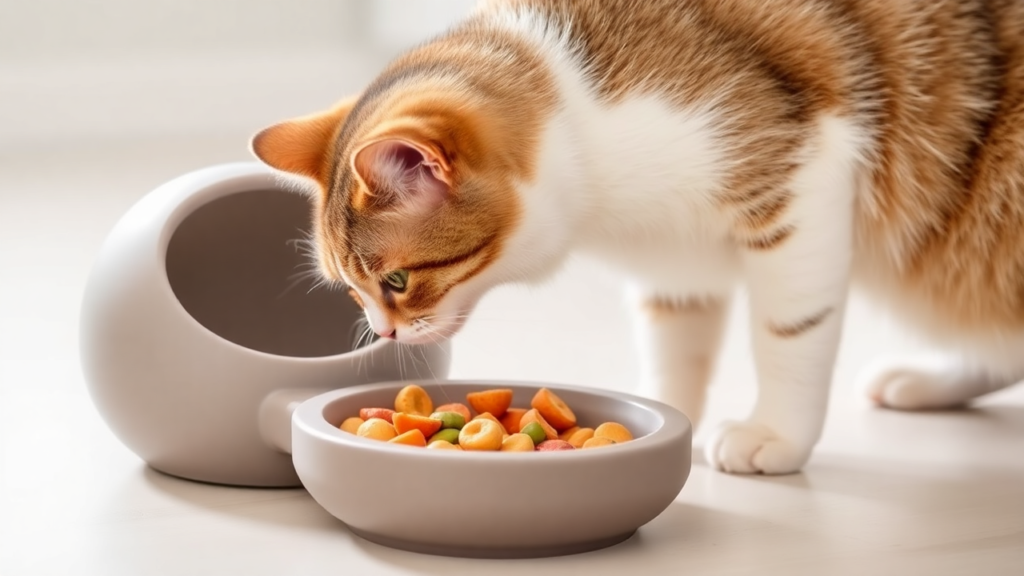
402	175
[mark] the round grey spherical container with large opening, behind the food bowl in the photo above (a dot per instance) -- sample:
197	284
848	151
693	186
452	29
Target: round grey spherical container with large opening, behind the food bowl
194	324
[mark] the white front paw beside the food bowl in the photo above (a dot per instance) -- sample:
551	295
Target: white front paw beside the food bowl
754	448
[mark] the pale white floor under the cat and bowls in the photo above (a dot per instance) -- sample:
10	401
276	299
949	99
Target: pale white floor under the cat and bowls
886	492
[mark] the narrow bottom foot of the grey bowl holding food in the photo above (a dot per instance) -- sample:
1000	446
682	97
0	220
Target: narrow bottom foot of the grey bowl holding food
494	553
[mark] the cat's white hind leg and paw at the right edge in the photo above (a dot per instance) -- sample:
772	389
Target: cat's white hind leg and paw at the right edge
932	383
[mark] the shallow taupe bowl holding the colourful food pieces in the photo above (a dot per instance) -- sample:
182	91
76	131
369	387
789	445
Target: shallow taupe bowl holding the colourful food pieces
493	505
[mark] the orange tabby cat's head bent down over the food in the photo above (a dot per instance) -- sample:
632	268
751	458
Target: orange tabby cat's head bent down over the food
417	207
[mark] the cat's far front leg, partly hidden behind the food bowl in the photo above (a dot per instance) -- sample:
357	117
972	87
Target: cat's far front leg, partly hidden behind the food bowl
679	339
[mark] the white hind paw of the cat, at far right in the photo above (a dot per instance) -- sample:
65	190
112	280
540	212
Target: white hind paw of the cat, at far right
912	389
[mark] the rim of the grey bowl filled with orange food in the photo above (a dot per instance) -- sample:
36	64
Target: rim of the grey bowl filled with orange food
310	419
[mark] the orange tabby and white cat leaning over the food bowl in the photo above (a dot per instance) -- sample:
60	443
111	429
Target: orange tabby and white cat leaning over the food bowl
797	147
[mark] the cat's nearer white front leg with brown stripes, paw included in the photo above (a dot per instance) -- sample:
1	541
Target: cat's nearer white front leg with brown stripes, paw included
798	279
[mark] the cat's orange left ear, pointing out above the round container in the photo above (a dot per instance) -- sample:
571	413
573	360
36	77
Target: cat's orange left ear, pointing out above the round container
303	146
